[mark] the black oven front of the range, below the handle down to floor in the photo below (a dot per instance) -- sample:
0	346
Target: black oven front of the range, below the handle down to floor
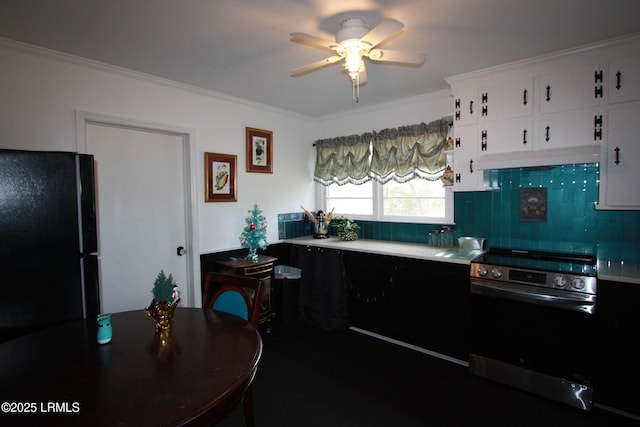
540	348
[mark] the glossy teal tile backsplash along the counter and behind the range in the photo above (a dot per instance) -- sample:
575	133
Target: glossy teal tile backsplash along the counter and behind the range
572	222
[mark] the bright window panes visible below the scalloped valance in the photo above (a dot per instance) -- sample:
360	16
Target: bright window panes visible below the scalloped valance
418	200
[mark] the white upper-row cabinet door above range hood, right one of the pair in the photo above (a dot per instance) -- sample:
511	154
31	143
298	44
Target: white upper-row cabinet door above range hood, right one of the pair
568	89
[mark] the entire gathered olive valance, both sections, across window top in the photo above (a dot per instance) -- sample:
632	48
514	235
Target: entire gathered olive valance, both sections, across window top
401	154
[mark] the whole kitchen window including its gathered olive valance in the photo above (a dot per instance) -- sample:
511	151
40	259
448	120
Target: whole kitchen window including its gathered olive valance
389	175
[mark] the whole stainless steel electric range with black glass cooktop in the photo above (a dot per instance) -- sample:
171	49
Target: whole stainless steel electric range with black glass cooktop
532	322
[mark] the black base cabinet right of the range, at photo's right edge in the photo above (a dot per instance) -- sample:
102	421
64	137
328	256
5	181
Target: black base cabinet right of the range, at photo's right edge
617	382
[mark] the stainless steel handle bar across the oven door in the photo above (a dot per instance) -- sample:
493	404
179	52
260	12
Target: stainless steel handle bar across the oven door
525	294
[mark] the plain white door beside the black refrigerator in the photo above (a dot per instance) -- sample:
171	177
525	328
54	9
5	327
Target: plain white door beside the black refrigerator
141	212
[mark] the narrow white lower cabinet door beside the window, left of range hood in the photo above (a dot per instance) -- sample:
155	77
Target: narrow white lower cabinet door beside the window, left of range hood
466	175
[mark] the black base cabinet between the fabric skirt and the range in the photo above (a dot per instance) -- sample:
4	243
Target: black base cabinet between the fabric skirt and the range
424	303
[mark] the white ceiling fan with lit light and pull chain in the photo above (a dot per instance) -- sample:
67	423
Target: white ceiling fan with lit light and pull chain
353	42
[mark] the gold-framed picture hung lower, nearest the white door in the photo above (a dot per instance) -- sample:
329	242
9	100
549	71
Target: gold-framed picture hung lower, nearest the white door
220	177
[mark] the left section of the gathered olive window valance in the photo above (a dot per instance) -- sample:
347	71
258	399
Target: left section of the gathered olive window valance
343	160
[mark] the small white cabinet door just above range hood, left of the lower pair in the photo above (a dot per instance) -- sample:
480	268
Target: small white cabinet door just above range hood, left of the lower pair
506	136
